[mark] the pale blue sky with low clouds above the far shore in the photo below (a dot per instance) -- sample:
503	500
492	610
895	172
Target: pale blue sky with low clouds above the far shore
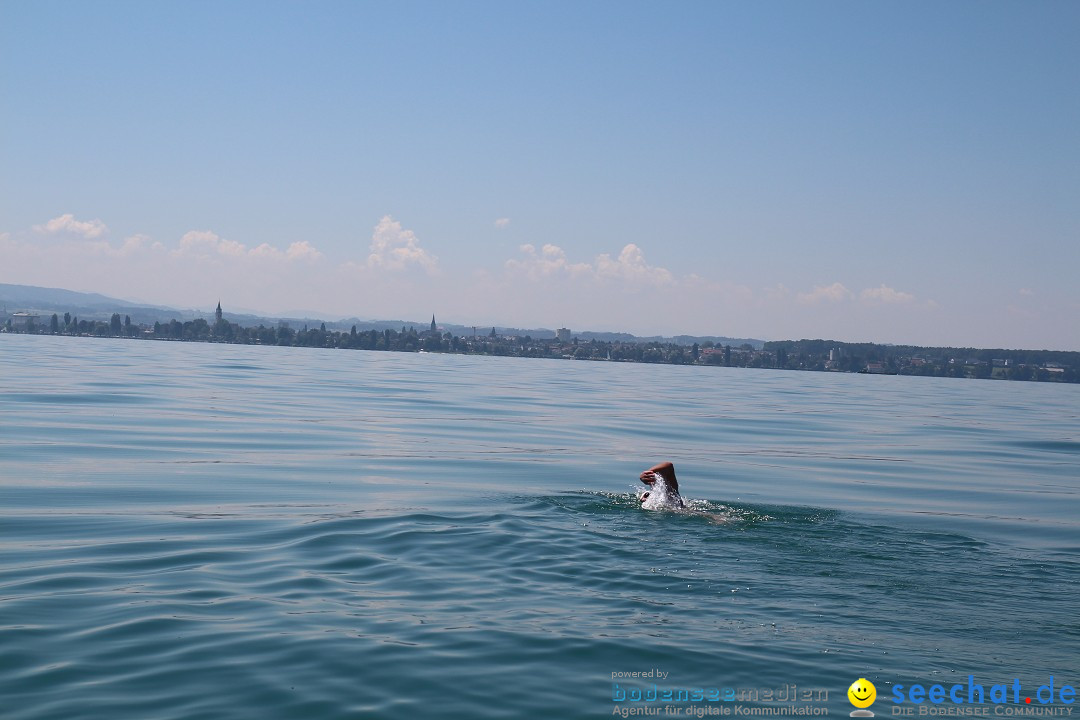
886	172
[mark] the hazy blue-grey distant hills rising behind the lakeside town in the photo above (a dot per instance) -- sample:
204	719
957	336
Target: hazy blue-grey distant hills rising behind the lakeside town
93	306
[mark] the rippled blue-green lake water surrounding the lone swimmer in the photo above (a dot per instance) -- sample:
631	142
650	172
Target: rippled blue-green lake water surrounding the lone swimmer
217	532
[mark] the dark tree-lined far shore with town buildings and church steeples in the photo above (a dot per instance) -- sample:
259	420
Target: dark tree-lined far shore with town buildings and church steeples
818	356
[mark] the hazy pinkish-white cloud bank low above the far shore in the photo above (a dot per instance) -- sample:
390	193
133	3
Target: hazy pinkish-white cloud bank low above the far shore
542	286
